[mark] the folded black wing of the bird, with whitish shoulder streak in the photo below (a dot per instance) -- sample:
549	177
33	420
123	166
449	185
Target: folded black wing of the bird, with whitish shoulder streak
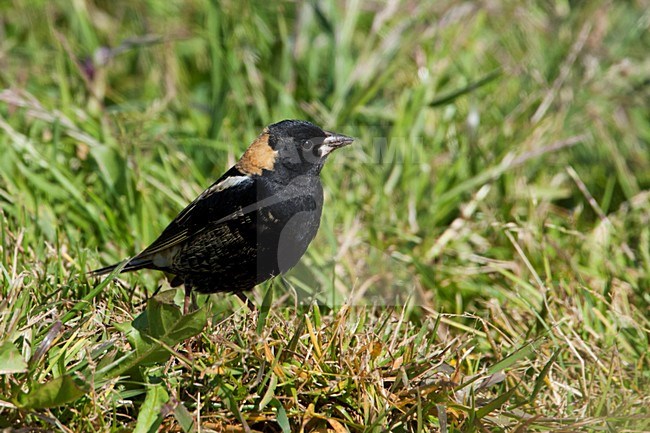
232	195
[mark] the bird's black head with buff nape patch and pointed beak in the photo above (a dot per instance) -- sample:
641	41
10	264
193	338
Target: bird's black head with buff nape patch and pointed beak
296	146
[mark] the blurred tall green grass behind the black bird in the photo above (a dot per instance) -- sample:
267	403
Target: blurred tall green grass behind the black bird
501	173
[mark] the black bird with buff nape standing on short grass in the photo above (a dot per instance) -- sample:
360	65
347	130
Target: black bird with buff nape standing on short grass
254	223
